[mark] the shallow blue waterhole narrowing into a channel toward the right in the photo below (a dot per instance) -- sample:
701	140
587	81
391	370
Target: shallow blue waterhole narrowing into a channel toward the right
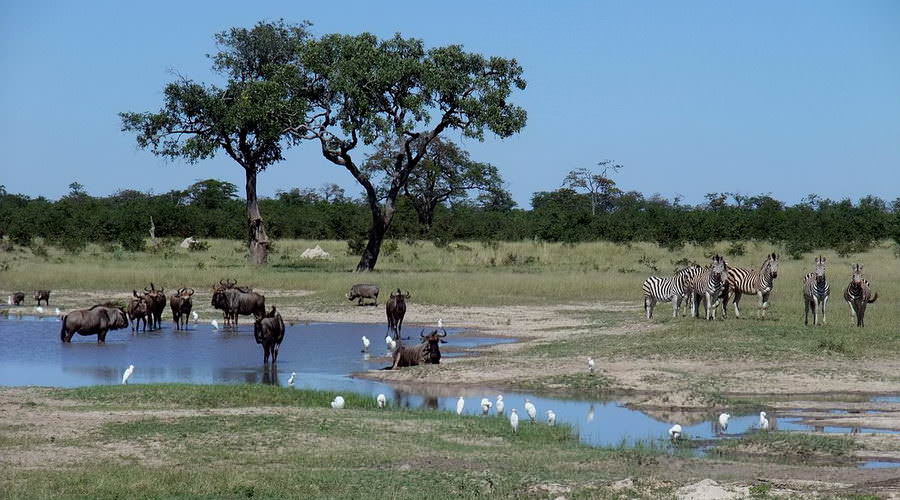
323	355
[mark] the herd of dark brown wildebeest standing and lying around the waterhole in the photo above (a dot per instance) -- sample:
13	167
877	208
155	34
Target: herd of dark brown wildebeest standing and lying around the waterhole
145	310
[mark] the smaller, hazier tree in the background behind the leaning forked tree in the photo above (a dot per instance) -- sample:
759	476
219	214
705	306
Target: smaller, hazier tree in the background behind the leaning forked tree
446	174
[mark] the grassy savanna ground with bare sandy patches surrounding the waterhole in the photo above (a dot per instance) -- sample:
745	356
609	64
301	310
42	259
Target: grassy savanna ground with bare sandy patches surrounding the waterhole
564	303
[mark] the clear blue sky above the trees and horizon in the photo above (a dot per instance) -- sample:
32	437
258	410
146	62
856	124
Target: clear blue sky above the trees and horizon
787	98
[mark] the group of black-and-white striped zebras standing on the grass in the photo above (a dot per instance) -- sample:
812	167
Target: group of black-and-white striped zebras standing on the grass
712	285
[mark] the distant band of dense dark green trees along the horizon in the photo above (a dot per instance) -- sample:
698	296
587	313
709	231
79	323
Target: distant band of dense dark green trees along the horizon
211	209
